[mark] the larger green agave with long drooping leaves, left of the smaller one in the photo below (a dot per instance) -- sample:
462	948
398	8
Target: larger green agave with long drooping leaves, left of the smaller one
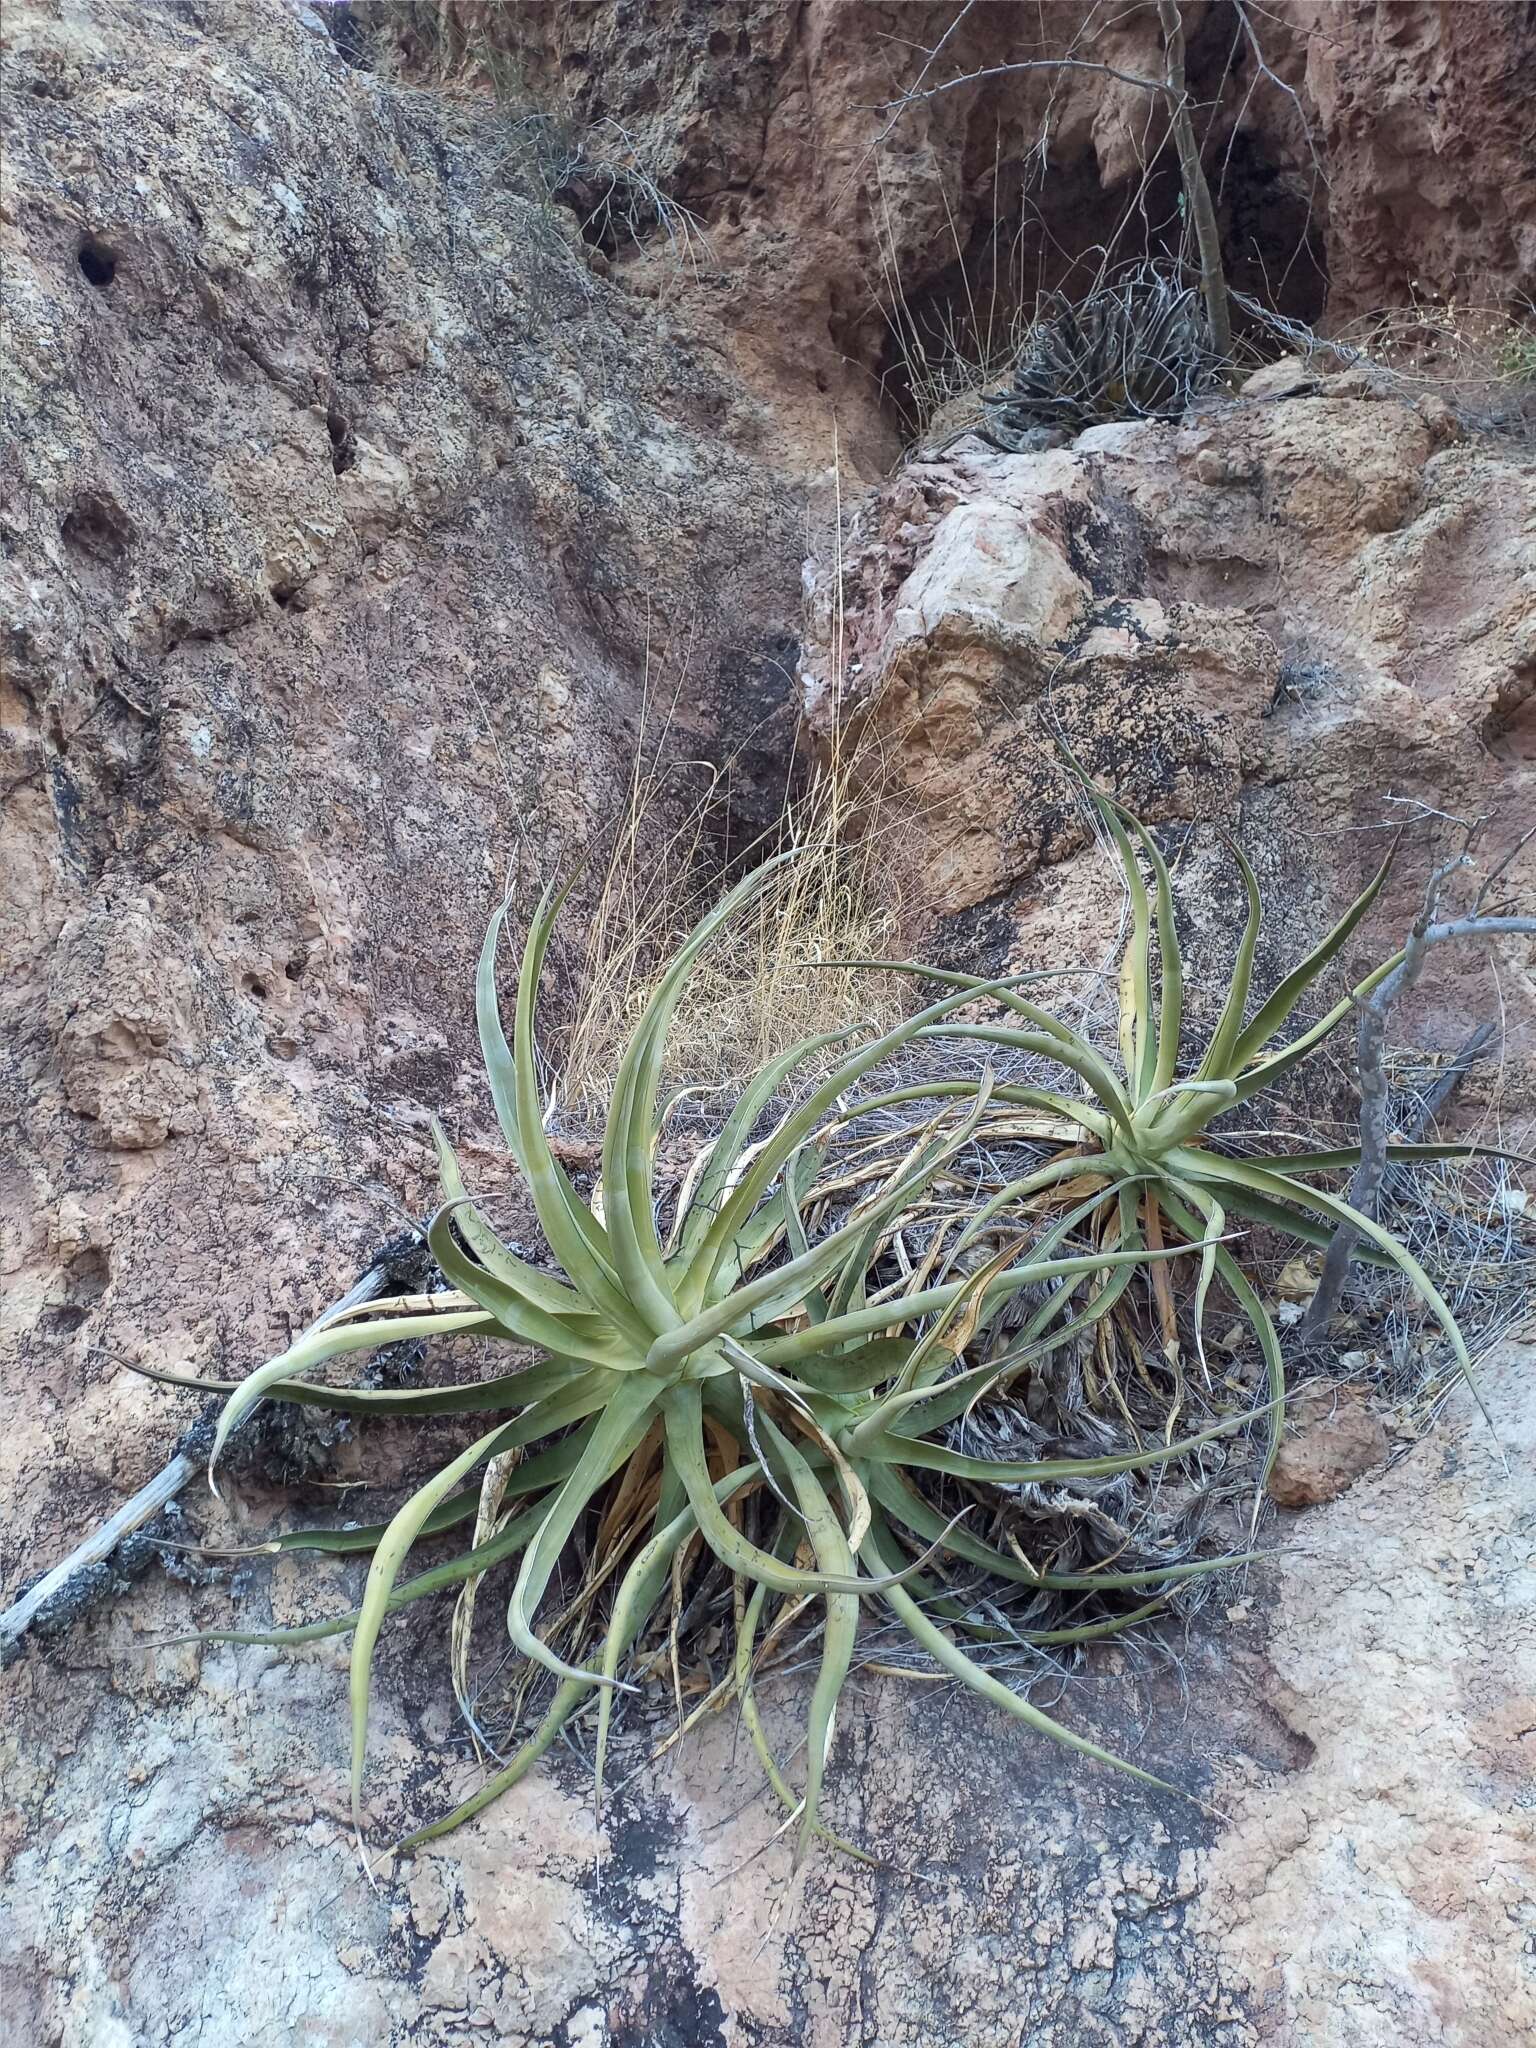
730	1381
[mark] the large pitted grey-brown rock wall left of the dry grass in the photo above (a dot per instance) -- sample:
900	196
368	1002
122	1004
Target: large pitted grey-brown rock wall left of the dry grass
343	511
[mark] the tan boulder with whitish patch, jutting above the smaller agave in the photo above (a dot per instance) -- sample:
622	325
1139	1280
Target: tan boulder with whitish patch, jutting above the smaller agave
1306	613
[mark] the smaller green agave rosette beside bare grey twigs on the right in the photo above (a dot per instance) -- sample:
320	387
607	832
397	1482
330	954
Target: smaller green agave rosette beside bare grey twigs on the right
1142	1134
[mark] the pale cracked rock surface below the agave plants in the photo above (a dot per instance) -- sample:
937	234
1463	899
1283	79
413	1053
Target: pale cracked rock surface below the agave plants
179	1861
